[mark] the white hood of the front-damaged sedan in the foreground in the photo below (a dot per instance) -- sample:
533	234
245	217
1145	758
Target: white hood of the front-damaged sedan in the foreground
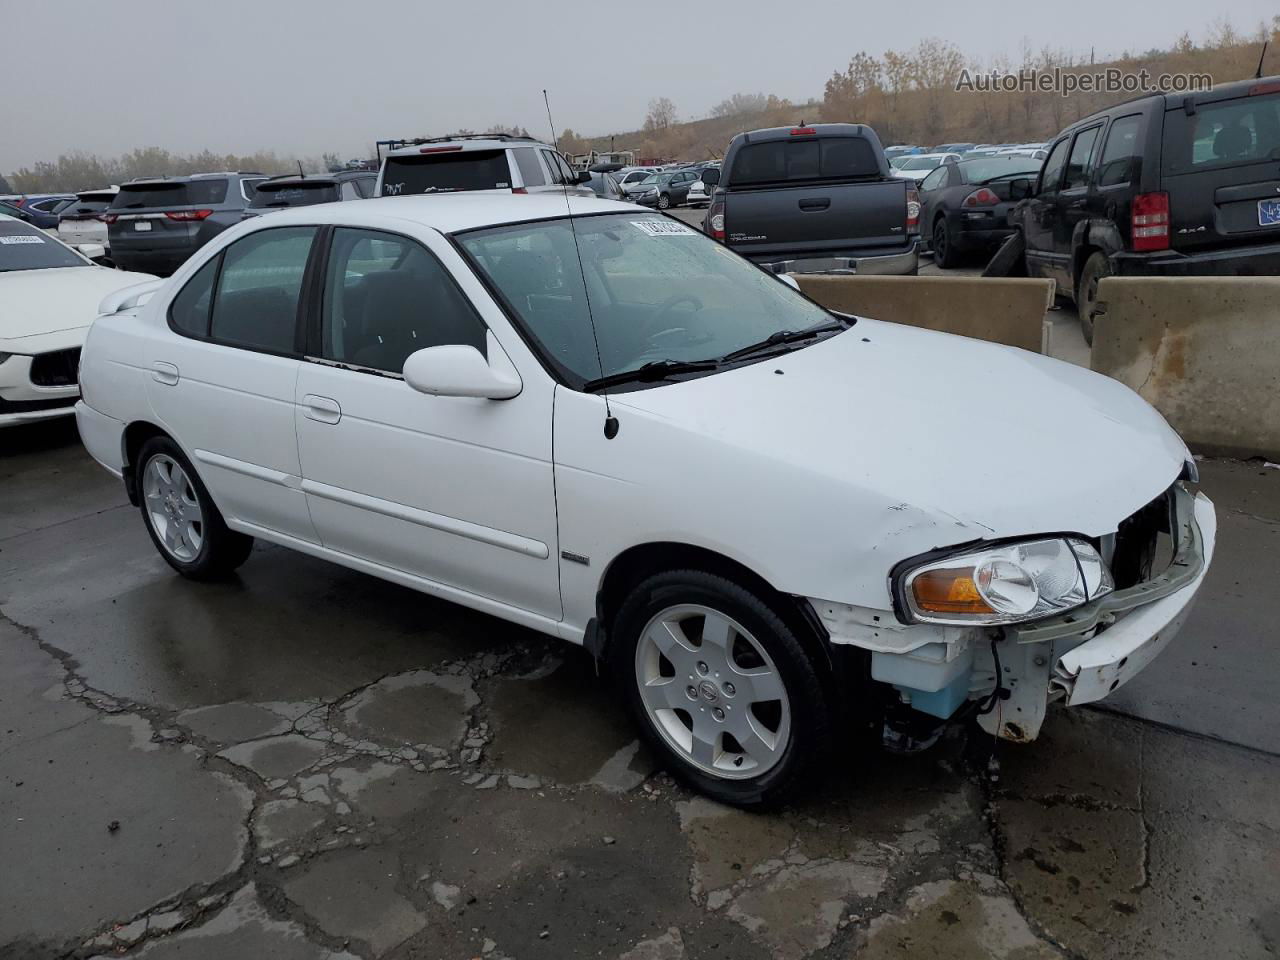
956	440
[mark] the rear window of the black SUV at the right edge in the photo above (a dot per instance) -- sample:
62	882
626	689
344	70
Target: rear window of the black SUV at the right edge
1244	131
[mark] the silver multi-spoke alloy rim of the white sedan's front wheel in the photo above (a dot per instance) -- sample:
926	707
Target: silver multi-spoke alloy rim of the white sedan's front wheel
714	693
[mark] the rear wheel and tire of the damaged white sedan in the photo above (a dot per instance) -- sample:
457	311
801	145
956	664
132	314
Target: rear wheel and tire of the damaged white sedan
181	518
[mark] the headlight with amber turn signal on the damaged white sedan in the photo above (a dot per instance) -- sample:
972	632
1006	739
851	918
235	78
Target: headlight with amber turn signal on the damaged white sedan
1007	584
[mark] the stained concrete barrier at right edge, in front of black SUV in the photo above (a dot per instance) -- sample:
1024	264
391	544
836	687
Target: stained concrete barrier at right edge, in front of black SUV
1205	351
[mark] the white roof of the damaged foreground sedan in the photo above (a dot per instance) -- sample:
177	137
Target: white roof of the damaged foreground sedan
452	213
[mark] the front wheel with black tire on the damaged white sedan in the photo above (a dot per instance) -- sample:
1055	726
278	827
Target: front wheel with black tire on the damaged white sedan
720	687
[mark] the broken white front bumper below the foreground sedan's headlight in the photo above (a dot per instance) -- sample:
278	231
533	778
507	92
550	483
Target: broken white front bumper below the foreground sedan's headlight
1084	656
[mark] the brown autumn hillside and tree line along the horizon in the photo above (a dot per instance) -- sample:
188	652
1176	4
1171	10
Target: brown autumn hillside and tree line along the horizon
909	97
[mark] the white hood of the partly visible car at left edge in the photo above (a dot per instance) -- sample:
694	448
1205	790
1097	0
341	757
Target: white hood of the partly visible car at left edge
38	304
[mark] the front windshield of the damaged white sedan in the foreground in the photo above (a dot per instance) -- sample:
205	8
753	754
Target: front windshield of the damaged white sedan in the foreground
659	291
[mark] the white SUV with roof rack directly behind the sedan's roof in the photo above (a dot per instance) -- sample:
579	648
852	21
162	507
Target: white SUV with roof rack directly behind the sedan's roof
484	163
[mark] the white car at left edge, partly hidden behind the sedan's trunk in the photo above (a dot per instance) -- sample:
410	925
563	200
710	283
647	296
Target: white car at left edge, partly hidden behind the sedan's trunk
49	296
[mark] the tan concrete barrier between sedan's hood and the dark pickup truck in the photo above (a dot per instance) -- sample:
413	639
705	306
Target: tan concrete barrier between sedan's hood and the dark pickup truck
1002	310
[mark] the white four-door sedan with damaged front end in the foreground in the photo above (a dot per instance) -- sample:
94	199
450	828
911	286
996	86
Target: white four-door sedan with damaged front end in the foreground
778	525
